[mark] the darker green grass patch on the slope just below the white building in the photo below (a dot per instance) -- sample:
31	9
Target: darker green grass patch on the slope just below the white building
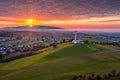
75	50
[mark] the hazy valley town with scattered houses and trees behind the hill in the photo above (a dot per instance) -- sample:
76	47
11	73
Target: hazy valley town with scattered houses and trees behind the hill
18	44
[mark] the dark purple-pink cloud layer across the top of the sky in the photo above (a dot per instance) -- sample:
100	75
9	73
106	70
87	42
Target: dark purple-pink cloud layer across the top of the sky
59	9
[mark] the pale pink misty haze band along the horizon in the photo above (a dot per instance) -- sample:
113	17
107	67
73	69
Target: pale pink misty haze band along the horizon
65	29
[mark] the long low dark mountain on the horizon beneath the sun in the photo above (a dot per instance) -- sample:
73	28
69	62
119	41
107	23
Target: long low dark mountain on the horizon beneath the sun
34	28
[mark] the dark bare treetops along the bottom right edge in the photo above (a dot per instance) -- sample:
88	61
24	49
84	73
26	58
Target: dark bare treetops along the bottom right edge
106	76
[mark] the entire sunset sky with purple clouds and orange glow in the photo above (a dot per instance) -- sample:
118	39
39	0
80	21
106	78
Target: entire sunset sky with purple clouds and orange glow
77	14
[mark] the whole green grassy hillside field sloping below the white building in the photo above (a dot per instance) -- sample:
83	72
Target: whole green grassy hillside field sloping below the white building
62	63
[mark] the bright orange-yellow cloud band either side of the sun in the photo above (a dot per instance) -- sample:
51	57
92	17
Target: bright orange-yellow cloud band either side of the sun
90	22
